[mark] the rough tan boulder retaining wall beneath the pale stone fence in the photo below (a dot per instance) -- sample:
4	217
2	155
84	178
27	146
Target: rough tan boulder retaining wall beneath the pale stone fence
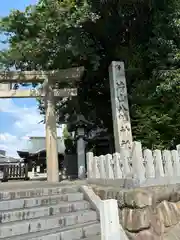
147	213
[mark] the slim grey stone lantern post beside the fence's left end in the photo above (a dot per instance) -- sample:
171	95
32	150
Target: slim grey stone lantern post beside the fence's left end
81	154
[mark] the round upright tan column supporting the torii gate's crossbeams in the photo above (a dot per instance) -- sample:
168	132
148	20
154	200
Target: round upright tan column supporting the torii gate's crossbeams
51	138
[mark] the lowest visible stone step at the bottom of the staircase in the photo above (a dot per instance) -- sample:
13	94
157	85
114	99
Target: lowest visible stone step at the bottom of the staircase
75	232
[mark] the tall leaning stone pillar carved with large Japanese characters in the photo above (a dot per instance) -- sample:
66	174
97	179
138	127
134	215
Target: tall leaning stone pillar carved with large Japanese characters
120	108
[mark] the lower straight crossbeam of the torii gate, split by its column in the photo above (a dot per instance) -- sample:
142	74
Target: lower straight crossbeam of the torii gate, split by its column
34	93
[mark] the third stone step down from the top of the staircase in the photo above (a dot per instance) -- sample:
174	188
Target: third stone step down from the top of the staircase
36	212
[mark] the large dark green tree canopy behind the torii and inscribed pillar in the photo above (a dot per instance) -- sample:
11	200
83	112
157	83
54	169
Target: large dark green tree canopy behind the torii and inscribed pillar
144	34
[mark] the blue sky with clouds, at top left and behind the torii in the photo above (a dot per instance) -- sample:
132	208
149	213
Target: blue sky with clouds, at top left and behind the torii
19	118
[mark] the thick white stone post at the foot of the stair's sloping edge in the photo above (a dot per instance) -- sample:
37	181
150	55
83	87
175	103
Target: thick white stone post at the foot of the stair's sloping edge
109	219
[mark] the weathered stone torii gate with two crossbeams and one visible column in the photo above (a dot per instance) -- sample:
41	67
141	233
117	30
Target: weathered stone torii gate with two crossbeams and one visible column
47	90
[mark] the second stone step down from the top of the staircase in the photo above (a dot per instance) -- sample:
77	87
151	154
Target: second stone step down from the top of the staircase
40	201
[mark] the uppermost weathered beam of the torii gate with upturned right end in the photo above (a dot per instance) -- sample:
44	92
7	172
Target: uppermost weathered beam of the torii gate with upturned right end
64	75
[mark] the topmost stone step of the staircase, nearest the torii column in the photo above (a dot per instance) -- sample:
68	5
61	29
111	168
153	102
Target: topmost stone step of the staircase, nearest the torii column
36	192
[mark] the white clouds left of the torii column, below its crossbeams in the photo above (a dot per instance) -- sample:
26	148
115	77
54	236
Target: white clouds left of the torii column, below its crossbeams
26	124
